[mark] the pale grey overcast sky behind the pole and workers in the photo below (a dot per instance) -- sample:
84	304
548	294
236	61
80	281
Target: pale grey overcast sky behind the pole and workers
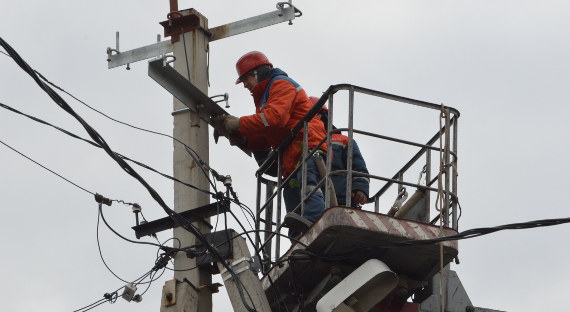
503	64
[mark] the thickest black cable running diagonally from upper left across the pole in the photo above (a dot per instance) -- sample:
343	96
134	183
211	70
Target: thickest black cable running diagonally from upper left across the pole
178	220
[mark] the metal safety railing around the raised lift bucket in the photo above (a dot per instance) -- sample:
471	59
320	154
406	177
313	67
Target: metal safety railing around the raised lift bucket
269	213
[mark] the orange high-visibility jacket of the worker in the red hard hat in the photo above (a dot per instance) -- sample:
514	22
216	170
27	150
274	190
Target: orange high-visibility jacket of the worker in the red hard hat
286	105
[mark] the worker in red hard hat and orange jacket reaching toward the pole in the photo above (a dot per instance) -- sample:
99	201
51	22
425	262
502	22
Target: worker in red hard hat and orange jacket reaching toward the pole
280	104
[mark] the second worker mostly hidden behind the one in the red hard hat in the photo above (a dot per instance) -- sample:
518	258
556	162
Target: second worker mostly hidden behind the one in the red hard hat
360	185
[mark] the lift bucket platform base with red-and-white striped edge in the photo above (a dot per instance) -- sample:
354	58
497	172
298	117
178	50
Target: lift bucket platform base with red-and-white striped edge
343	239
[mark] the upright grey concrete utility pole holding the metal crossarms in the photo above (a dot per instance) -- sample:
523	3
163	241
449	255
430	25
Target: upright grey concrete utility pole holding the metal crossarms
191	55
